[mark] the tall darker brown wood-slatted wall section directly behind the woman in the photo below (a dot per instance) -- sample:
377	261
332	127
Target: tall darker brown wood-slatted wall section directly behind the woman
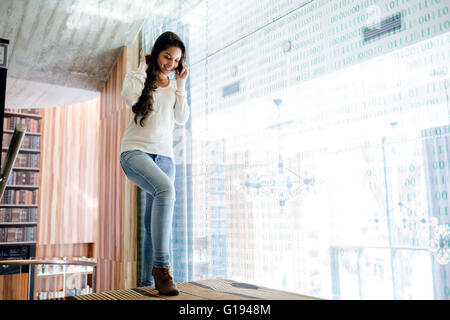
116	243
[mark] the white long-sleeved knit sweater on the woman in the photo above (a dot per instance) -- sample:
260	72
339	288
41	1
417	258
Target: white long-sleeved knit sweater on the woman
170	106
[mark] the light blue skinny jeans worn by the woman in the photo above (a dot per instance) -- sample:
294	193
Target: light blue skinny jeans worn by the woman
154	174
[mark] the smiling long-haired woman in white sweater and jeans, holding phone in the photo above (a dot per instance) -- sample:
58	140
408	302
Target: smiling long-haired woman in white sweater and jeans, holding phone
146	154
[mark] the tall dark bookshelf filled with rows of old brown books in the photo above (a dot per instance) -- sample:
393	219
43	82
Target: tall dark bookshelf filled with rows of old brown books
19	205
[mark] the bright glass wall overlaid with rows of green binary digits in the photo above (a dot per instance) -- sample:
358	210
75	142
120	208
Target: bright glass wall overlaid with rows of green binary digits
319	146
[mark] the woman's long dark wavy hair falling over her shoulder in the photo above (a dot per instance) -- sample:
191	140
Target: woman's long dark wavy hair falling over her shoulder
144	106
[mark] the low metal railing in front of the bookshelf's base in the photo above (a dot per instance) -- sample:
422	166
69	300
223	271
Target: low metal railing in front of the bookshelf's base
58	261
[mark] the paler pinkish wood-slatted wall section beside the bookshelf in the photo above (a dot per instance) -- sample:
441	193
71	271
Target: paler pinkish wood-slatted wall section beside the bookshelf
68	194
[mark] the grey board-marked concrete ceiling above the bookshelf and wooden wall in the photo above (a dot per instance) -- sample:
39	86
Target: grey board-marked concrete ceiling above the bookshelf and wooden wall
61	52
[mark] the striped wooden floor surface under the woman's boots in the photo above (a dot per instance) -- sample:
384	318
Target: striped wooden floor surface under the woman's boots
215	289
